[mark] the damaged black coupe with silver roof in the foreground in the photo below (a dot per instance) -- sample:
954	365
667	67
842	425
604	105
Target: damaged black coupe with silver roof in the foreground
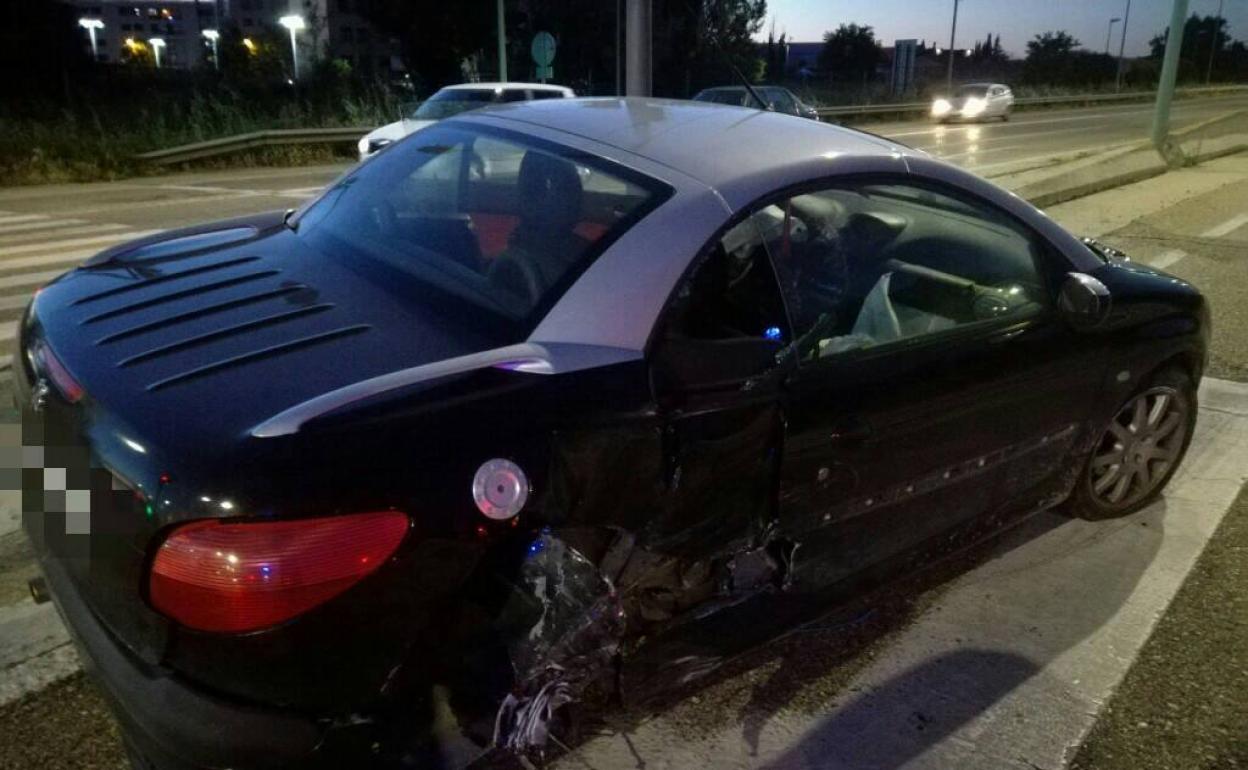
560	405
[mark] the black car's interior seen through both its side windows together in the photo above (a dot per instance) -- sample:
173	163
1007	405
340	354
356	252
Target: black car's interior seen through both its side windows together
862	268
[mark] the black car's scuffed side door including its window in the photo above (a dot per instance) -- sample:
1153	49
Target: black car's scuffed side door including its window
934	391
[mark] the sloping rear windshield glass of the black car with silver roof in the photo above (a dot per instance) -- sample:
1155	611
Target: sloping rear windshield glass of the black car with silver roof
495	225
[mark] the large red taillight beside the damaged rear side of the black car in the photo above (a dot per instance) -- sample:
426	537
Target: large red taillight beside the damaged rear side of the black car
220	576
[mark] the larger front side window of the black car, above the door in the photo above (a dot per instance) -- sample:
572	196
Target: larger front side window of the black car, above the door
873	265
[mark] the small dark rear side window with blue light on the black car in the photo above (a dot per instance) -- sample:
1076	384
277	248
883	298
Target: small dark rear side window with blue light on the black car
727	321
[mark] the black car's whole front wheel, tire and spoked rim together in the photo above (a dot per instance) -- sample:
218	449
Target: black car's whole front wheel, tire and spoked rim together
1139	450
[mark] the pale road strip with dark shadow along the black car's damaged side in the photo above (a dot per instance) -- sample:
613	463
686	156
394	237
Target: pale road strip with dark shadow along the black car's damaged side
1016	658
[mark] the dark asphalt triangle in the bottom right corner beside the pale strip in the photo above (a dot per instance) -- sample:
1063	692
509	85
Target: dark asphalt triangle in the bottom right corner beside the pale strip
1185	702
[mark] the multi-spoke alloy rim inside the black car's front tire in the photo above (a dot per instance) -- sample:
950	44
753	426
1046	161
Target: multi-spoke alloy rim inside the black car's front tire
1139	449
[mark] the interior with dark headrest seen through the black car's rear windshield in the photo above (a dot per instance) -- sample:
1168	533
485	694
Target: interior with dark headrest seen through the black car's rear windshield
497	222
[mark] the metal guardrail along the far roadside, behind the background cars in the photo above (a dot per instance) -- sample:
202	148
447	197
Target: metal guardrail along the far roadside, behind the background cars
333	137
